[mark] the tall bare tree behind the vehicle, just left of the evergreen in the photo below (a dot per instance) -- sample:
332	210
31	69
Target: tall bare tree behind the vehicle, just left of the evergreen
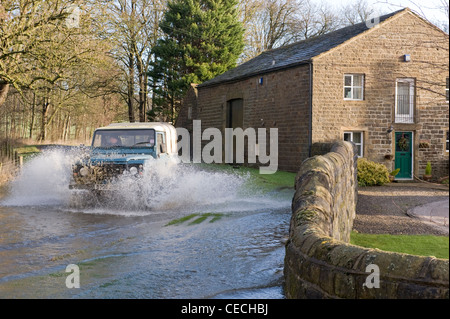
133	28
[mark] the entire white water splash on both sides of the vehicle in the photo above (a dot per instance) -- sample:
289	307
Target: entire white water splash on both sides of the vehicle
164	186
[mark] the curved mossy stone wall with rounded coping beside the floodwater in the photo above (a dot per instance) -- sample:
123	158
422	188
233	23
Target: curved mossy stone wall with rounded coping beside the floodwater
320	262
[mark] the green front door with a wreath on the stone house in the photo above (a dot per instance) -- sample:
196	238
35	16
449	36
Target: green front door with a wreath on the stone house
403	154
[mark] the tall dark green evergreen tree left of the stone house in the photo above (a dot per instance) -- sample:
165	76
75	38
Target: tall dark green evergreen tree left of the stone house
203	38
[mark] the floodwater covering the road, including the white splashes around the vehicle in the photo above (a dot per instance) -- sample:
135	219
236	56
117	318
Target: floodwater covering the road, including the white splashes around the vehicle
198	234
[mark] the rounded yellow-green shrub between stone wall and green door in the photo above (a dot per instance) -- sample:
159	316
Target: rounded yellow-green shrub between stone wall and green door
371	173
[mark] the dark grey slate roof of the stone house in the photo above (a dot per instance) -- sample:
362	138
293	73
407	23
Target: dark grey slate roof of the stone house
293	54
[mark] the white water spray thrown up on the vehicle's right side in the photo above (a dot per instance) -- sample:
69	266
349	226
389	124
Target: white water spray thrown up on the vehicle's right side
167	186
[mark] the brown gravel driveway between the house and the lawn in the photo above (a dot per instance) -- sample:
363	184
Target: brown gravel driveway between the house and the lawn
382	209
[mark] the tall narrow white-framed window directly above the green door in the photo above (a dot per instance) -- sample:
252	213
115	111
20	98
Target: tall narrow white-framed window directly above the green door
404	101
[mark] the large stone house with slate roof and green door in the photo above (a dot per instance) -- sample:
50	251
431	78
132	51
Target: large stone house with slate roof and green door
382	86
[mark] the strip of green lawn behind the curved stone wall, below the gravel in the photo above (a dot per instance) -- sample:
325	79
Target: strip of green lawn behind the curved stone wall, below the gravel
421	245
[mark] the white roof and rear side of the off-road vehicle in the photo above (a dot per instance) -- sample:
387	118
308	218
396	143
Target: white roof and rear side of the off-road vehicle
169	129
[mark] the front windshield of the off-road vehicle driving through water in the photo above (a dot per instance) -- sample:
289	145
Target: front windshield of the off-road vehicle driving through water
124	138
